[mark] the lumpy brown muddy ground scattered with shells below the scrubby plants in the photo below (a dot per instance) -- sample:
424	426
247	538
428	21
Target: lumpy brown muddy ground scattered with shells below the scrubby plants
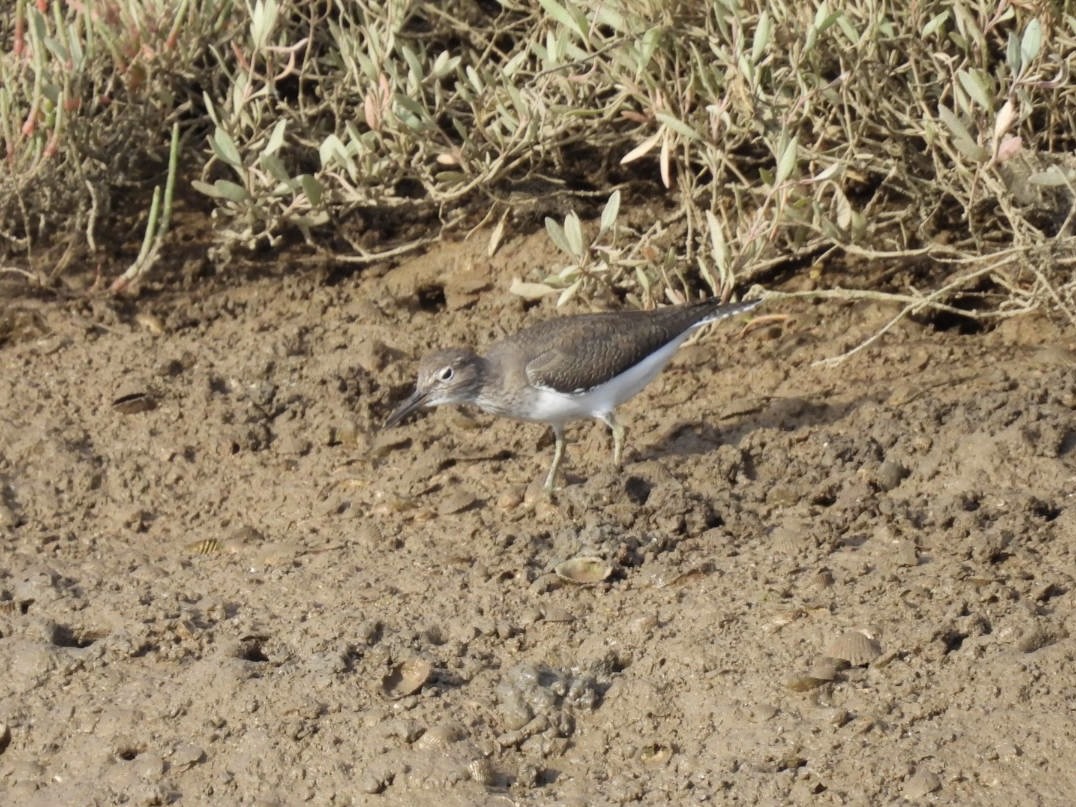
219	586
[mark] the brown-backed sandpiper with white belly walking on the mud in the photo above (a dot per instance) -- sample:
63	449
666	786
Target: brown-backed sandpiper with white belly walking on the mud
565	369
